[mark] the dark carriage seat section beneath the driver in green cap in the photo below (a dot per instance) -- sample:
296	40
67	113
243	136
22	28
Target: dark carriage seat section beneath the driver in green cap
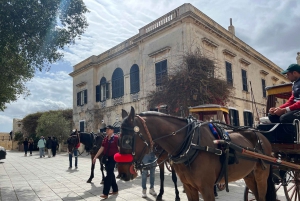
284	133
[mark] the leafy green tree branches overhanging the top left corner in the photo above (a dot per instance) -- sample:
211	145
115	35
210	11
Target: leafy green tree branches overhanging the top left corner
32	33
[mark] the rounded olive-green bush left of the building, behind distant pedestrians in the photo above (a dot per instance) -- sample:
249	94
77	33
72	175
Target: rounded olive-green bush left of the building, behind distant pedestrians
53	123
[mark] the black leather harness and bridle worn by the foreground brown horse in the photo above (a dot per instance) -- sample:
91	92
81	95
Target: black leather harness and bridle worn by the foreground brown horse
189	149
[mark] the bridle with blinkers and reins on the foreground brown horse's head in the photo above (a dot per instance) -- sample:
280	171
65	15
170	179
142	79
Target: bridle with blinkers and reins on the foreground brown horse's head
138	162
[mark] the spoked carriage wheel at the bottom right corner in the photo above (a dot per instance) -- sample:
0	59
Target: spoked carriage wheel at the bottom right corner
292	190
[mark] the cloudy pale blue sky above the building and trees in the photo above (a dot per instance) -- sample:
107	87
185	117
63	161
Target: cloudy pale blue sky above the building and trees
269	26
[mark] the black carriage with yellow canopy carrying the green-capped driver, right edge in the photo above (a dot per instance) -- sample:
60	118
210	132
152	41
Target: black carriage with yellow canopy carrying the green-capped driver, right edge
285	142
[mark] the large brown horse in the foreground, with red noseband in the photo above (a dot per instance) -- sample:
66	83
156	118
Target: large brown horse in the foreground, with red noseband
199	175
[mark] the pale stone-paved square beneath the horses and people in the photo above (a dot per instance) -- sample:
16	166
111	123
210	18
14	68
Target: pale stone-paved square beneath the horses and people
33	178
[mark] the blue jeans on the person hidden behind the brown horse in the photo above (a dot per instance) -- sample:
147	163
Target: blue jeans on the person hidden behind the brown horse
148	158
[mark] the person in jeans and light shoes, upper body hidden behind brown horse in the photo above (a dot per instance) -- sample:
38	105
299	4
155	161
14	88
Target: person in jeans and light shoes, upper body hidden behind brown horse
149	158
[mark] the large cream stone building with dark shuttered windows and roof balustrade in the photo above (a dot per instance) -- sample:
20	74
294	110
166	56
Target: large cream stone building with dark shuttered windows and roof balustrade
123	75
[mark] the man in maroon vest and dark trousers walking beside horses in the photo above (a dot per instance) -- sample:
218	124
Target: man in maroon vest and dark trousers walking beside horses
109	147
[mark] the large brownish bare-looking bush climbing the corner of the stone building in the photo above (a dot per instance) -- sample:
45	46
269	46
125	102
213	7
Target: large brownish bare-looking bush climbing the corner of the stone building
195	81
